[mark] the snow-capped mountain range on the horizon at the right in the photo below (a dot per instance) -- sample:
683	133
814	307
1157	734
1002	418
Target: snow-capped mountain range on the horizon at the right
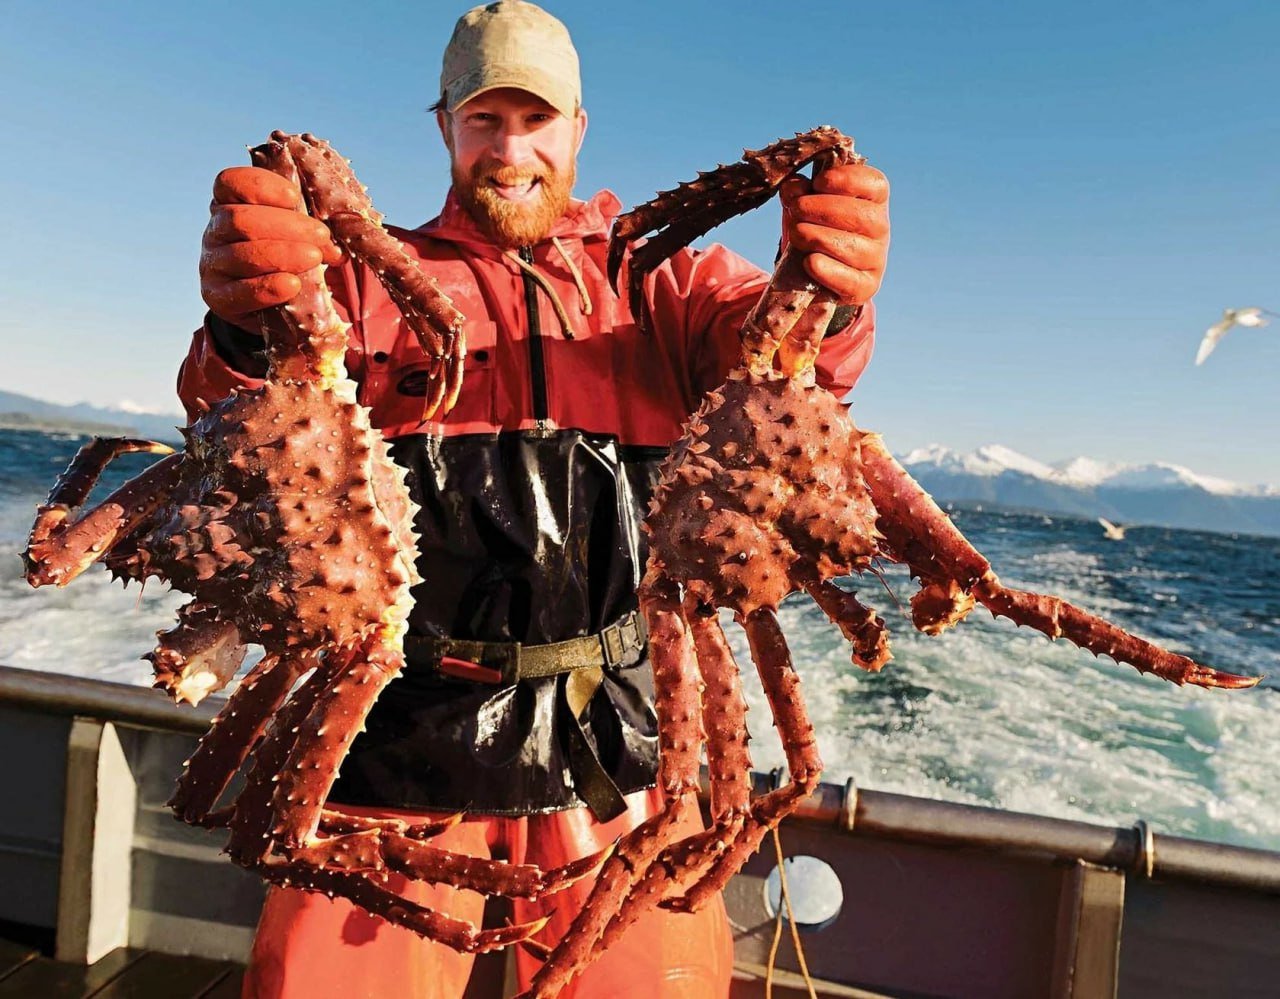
1155	494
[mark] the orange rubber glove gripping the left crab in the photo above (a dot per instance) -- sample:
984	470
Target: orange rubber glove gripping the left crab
258	241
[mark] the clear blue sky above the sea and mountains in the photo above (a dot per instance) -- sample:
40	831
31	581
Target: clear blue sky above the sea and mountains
1078	190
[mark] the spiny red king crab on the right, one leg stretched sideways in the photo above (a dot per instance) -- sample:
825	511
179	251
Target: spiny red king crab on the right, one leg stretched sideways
772	490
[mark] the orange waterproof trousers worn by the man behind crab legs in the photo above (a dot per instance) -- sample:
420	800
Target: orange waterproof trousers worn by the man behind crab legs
310	947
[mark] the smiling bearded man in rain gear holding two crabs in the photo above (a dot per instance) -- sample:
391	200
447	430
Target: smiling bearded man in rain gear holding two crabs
532	491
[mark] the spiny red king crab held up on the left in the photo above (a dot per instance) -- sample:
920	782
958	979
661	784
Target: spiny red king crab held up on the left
291	527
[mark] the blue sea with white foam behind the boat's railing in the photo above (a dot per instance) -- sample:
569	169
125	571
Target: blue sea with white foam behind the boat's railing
988	714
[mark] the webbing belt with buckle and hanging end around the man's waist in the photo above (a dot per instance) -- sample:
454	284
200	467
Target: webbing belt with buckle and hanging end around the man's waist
583	659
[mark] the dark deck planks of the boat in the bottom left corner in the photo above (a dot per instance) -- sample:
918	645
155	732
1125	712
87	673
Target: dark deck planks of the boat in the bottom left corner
26	973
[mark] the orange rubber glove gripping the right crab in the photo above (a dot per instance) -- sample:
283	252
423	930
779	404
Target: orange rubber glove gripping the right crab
842	222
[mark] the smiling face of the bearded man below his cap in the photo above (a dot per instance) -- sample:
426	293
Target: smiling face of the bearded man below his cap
514	162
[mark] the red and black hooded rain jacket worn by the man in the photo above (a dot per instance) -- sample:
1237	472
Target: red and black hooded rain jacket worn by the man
533	490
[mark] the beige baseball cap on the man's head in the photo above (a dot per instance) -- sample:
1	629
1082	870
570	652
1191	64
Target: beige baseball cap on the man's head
511	44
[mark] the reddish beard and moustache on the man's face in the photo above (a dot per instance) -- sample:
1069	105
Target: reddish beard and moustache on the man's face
514	225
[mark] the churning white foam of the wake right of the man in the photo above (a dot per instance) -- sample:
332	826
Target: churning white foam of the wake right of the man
991	715
